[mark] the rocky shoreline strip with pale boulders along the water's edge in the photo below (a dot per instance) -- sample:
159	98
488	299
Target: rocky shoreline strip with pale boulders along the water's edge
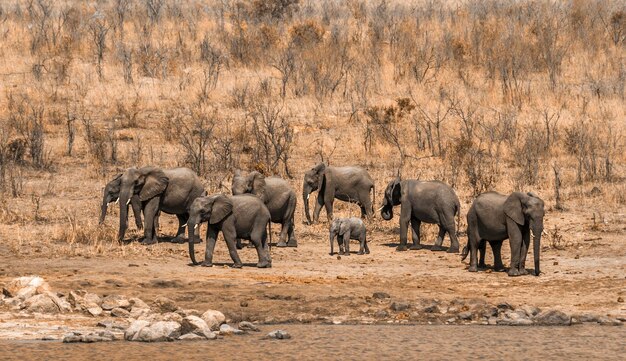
31	310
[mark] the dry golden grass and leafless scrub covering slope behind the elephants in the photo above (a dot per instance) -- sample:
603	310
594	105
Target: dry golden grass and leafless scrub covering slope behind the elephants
483	95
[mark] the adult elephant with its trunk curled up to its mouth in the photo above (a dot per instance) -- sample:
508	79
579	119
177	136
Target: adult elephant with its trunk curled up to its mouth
422	201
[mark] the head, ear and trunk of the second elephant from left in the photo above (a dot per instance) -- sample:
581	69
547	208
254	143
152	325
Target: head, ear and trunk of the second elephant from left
146	183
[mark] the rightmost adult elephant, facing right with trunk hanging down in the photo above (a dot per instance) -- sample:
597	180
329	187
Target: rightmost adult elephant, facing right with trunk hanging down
495	217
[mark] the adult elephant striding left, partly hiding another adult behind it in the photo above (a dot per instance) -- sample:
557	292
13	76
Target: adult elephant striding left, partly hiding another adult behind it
243	216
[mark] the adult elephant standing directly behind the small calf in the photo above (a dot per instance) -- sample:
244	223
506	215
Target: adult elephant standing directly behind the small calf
349	184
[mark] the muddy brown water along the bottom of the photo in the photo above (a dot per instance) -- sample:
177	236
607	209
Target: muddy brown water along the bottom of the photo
327	342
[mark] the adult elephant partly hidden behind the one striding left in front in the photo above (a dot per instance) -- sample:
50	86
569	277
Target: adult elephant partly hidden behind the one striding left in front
278	197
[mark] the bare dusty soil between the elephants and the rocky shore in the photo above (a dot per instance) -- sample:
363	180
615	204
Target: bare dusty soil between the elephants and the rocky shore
306	284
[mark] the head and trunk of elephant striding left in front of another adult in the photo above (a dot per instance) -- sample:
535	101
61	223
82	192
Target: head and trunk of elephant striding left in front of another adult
213	209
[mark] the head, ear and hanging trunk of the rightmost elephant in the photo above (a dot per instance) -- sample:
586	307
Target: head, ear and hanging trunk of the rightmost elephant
526	209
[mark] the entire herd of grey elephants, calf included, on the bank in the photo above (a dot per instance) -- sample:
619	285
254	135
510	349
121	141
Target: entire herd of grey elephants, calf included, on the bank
258	201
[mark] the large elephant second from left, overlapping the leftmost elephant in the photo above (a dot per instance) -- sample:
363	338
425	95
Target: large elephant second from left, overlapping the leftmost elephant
168	190
